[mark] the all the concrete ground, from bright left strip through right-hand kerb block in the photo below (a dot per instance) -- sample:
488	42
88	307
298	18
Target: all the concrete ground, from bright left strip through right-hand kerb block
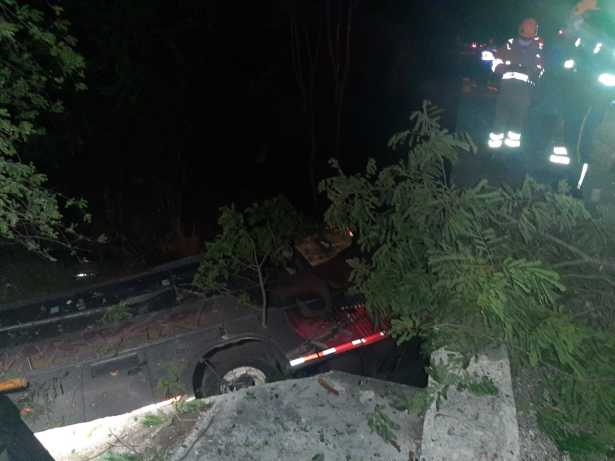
322	418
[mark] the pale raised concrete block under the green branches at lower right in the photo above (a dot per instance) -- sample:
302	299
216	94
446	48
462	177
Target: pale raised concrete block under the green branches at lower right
468	427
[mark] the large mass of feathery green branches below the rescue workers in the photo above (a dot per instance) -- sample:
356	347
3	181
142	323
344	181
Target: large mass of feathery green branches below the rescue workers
527	267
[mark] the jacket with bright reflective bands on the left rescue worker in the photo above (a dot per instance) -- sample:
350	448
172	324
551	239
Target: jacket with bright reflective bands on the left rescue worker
520	59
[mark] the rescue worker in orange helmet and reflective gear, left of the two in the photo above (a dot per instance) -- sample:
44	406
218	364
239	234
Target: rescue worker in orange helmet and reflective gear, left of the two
520	64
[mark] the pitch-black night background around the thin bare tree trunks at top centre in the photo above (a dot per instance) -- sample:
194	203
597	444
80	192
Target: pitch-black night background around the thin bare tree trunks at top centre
192	104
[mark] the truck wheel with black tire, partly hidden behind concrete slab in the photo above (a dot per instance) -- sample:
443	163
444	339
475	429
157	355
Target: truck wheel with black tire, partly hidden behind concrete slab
236	368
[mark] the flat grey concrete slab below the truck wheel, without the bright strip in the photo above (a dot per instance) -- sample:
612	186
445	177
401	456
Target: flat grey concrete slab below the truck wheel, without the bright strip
319	418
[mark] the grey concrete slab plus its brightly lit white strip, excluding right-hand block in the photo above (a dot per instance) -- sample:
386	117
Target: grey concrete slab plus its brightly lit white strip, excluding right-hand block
323	418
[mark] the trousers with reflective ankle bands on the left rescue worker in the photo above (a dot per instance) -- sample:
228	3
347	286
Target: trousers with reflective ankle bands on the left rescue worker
511	109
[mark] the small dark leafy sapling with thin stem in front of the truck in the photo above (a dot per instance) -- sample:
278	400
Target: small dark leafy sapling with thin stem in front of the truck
249	242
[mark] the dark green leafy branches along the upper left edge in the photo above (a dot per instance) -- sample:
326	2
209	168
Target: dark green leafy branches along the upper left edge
38	61
